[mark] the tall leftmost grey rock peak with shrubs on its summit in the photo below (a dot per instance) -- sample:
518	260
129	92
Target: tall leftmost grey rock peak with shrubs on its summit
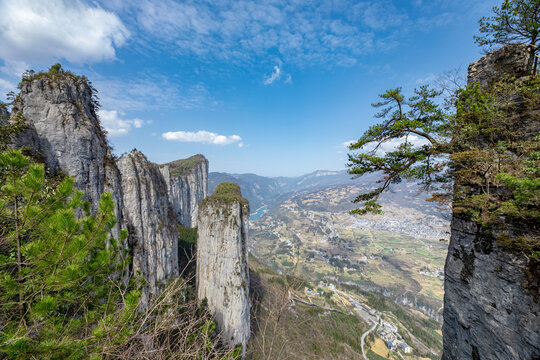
64	130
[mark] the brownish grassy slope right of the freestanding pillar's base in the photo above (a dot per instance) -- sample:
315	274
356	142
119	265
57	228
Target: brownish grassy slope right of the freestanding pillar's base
283	329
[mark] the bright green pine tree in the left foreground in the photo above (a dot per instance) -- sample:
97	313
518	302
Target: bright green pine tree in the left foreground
61	289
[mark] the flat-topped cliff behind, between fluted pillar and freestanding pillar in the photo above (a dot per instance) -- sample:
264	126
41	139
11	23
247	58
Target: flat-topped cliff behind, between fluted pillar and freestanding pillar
187	184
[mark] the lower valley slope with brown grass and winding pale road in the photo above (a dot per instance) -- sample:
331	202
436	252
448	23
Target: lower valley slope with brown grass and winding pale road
297	319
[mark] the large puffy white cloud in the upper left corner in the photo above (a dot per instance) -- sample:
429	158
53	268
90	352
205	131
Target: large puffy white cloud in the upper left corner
39	31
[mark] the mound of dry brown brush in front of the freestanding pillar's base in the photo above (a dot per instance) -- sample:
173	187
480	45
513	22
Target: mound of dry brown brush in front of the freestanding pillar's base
174	326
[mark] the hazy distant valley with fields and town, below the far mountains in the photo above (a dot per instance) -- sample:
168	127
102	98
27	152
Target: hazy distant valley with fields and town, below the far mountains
305	225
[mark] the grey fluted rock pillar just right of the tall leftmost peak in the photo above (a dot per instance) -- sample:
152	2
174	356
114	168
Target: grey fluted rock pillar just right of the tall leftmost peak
152	229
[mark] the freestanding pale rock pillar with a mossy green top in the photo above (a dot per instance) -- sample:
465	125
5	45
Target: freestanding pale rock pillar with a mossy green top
222	262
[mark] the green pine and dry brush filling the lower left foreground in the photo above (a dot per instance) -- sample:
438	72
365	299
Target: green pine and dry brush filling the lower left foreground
64	293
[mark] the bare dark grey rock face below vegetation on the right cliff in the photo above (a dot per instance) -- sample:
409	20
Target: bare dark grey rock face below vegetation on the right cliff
488	312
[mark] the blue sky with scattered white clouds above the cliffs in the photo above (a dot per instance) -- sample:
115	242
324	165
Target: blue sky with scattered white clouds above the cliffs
268	87
